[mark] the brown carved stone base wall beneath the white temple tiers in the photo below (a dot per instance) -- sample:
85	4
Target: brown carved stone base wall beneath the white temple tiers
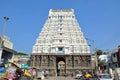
73	63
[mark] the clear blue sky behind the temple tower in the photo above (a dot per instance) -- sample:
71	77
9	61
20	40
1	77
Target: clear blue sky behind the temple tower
99	20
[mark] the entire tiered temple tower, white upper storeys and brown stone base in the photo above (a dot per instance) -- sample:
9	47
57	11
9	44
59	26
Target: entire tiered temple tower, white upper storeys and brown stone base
61	47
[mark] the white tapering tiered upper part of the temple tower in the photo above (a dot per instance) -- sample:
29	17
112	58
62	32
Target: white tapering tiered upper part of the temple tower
61	33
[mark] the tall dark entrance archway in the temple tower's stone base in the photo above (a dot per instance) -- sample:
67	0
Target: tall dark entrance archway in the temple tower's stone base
60	66
